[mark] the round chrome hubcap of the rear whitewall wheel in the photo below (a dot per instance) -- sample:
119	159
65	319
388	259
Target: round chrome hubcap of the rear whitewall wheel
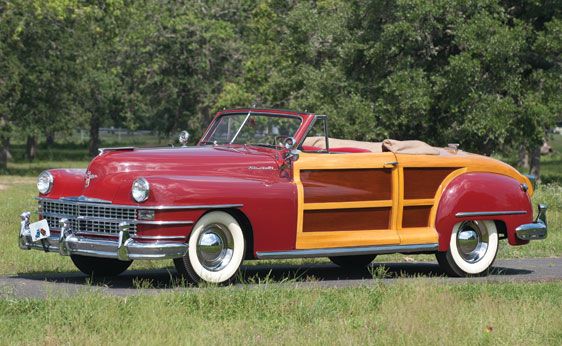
472	241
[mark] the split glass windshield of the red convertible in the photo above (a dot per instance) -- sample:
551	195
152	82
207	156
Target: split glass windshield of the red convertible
253	129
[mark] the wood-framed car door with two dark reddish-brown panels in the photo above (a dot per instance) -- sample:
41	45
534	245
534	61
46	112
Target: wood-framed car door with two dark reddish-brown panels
346	199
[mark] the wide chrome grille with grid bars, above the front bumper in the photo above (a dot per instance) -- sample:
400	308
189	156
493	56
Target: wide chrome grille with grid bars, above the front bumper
87	217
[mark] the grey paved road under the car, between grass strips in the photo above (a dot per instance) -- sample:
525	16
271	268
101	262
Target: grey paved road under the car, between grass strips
324	275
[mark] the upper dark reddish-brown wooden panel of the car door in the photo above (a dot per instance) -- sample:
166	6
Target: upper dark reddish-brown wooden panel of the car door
346	185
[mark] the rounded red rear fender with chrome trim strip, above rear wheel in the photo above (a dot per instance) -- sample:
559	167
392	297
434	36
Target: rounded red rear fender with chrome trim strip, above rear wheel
482	192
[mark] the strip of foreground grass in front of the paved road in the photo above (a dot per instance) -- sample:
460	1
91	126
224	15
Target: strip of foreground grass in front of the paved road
411	313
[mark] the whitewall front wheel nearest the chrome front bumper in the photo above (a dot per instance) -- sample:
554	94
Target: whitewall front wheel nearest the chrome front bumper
216	250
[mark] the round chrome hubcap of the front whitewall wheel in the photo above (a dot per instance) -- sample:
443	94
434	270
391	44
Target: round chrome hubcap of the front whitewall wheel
215	247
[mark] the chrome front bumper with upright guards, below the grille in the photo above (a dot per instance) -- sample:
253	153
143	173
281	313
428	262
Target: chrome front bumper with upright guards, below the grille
124	248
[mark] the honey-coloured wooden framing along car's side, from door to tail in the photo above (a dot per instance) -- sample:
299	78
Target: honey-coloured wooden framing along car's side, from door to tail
418	181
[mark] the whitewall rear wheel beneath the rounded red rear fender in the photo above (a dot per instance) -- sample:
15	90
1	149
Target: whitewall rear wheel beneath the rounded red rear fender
472	249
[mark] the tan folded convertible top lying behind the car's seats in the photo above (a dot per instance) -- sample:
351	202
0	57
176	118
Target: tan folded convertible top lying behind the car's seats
412	147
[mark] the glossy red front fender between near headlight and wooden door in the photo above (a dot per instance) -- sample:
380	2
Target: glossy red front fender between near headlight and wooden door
271	207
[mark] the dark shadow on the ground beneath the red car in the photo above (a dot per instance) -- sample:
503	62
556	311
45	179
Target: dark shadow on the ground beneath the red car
262	274
